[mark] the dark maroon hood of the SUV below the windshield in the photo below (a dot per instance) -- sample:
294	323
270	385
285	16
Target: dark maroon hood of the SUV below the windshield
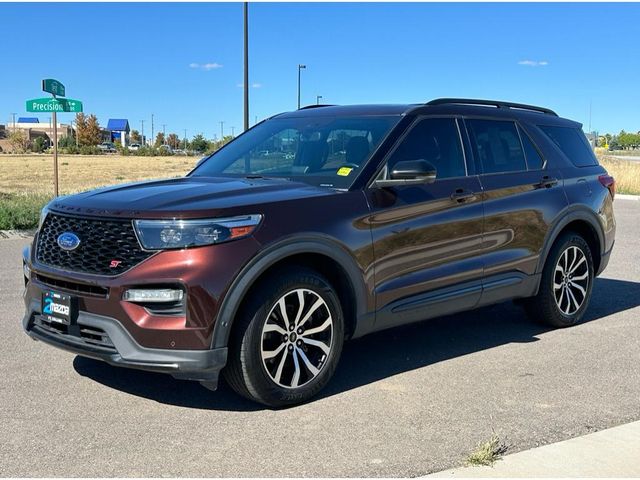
185	197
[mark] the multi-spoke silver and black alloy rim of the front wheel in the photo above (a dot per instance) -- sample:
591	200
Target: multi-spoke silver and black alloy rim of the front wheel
297	338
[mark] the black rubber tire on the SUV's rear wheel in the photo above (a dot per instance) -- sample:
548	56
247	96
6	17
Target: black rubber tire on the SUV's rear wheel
545	306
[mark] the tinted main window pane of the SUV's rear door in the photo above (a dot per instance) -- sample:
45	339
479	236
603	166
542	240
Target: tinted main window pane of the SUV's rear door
497	145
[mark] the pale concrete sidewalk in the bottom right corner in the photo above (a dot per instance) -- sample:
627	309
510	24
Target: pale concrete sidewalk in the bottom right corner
614	452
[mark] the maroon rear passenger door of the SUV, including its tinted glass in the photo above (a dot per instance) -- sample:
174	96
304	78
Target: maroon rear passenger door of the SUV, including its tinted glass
522	196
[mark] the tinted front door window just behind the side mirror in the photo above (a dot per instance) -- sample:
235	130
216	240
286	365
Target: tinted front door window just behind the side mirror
437	141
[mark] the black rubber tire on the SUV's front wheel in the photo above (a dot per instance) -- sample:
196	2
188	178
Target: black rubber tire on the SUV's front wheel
246	371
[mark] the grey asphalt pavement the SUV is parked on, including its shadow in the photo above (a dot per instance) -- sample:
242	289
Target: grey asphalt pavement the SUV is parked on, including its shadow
404	402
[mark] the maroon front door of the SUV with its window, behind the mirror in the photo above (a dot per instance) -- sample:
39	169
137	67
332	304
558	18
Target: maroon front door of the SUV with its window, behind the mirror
427	237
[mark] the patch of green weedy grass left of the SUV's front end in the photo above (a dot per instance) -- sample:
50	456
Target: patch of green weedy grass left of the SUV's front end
21	211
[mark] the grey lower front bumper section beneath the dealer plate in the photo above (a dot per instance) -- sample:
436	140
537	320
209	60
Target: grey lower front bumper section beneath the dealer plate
121	349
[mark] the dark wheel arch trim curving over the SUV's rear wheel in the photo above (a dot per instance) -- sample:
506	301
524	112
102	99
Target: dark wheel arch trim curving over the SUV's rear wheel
582	221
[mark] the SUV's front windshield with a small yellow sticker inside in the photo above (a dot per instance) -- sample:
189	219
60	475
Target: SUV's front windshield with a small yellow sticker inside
321	151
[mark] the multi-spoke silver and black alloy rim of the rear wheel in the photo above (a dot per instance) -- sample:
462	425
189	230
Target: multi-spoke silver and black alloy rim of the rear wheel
571	280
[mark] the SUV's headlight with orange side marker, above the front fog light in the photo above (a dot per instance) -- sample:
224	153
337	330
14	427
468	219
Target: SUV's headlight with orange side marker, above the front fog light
165	234
